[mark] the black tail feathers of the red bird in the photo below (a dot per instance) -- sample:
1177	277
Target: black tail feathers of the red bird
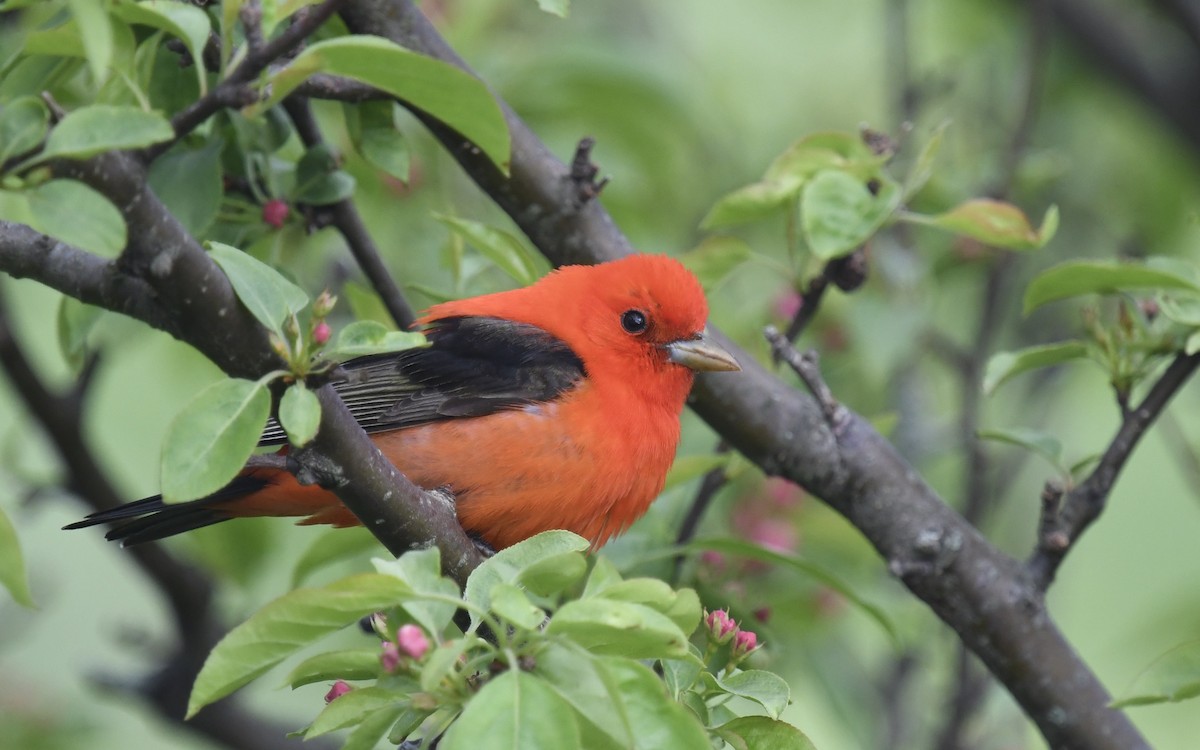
151	519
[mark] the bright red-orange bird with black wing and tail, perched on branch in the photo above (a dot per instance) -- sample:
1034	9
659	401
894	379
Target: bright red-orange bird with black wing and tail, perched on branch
551	407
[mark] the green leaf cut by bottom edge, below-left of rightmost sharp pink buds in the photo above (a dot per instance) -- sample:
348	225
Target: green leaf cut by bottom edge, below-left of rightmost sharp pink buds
657	723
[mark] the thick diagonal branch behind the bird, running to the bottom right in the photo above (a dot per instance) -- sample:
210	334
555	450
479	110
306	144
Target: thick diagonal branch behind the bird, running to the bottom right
980	592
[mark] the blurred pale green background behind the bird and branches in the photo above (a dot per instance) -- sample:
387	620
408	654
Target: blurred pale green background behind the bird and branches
689	101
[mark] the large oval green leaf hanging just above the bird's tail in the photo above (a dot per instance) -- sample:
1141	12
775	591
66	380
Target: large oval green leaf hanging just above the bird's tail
209	442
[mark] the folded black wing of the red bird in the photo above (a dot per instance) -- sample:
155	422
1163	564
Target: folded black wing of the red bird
473	367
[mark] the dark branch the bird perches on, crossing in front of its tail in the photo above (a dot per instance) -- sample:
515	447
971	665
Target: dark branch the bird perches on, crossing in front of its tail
205	311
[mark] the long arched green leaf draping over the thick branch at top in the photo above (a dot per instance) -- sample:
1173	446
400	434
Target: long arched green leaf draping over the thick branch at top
440	89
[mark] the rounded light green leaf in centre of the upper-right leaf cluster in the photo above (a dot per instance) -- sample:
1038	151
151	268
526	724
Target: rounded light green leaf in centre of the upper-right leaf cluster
839	213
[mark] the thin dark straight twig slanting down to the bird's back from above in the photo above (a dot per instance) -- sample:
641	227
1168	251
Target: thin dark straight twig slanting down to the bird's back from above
350	224
